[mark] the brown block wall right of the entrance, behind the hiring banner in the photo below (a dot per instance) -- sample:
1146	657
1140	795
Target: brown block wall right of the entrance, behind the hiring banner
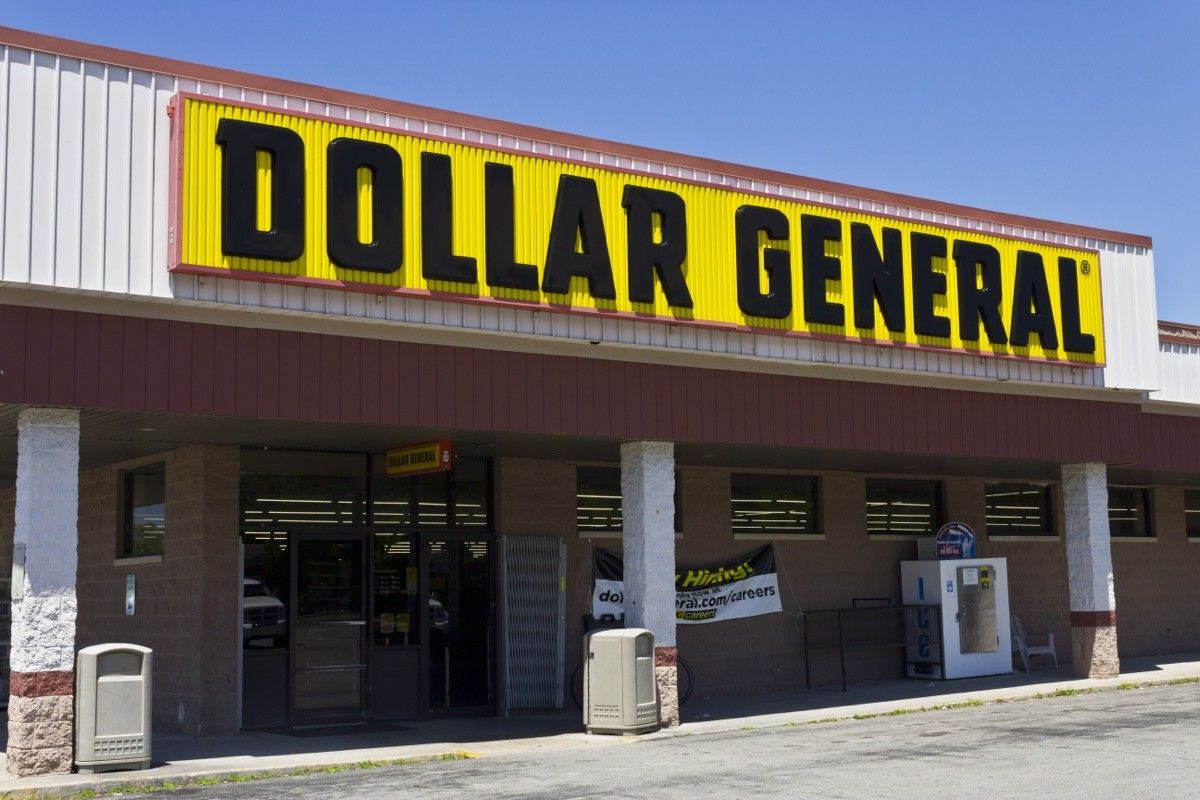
1157	597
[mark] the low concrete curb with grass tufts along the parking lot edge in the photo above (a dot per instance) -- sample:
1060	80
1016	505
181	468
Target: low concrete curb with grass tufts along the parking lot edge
127	784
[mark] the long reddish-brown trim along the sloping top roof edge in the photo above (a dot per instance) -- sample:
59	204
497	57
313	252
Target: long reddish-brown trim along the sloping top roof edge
71	49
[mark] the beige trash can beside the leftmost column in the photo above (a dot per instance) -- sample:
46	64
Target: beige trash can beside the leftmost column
113	708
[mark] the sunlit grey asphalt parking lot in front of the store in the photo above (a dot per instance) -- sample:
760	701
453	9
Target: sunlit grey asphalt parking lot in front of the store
1115	744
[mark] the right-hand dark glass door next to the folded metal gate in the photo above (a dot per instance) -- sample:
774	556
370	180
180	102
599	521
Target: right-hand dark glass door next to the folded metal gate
460	623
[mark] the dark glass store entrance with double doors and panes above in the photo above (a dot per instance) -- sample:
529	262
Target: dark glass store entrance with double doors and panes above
365	598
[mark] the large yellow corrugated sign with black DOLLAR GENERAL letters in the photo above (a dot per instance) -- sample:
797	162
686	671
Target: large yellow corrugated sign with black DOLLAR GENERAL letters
266	195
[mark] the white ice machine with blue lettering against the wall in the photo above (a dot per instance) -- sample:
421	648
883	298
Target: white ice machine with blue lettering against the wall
969	634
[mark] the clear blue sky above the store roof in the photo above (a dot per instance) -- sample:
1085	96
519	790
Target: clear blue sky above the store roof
1082	112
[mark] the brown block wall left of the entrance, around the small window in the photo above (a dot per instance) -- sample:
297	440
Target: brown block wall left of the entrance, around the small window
188	604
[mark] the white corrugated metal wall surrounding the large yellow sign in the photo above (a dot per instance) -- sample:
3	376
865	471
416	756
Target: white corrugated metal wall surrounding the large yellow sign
83	207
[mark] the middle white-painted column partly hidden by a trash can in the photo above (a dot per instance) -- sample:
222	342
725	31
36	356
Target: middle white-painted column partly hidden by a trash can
647	489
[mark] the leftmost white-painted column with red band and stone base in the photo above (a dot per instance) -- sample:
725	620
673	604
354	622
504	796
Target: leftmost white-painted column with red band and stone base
44	621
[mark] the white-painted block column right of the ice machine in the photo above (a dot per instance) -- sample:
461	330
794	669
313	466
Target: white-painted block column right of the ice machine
1094	604
